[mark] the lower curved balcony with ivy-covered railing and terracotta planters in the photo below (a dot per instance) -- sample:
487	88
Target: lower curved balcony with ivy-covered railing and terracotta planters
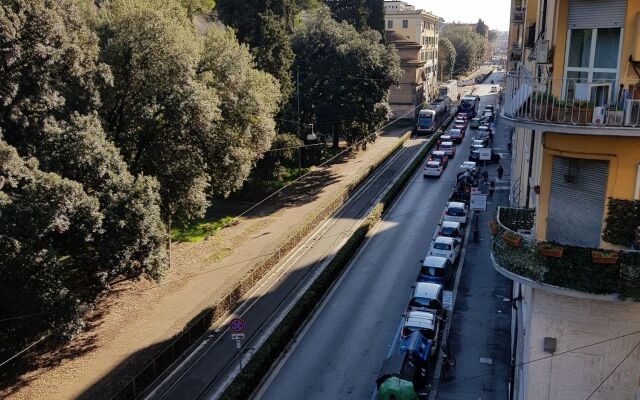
561	269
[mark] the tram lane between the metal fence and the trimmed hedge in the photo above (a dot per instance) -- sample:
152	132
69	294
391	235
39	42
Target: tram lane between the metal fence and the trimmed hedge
216	360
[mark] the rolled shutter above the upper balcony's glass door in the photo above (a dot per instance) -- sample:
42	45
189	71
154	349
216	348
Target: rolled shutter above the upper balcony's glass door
597	13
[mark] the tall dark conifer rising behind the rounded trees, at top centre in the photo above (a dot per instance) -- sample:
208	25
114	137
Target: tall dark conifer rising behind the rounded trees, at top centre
265	25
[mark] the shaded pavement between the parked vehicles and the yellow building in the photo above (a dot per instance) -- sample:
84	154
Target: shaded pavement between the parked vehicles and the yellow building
480	335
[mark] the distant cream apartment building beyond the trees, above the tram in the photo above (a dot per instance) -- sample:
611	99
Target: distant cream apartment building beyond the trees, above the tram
415	34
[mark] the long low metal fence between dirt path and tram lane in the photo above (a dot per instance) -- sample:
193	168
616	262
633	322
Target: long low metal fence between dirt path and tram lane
137	386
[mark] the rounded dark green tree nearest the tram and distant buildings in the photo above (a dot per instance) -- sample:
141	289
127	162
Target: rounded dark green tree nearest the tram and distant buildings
351	95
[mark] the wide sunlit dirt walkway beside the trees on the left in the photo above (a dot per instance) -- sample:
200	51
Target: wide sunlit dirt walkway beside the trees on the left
128	323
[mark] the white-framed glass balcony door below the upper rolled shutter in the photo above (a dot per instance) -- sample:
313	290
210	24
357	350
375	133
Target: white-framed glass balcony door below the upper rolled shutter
592	56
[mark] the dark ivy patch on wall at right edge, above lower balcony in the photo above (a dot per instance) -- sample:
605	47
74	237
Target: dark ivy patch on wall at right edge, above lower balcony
622	221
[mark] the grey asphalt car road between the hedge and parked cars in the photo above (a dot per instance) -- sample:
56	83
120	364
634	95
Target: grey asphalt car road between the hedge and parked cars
339	354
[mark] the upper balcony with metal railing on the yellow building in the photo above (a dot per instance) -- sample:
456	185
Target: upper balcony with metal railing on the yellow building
600	107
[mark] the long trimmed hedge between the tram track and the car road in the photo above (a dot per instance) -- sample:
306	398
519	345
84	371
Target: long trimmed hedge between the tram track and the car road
252	374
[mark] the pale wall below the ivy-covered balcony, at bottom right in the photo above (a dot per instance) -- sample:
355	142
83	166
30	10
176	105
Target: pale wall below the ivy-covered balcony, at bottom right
574	323
